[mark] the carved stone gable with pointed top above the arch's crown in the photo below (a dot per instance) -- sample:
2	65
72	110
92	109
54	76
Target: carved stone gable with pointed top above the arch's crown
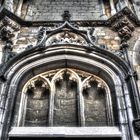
65	34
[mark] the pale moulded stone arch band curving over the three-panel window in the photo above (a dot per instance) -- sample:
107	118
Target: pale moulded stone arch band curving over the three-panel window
71	58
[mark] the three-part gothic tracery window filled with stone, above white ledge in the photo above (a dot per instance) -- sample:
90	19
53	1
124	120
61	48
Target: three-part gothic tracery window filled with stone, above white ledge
65	97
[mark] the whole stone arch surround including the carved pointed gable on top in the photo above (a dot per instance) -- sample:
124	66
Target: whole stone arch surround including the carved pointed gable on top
70	52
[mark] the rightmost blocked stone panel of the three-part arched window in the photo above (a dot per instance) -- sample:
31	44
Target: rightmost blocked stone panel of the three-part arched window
95	108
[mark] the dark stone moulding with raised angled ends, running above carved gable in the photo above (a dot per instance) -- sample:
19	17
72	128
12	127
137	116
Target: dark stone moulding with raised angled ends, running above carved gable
84	23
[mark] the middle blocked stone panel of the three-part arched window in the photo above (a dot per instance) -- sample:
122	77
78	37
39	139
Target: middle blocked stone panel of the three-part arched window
65	104
